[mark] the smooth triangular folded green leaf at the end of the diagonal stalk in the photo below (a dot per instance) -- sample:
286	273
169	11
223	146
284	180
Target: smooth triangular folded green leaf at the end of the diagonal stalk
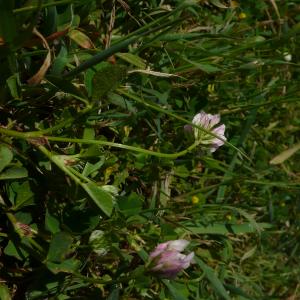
102	199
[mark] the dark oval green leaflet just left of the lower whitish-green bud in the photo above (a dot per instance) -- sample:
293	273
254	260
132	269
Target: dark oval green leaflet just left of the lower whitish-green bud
60	247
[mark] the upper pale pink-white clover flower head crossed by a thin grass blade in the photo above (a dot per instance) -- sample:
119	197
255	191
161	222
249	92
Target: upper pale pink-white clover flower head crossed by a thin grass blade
209	122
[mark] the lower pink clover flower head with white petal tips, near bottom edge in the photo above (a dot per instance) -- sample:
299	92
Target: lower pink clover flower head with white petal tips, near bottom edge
167	260
